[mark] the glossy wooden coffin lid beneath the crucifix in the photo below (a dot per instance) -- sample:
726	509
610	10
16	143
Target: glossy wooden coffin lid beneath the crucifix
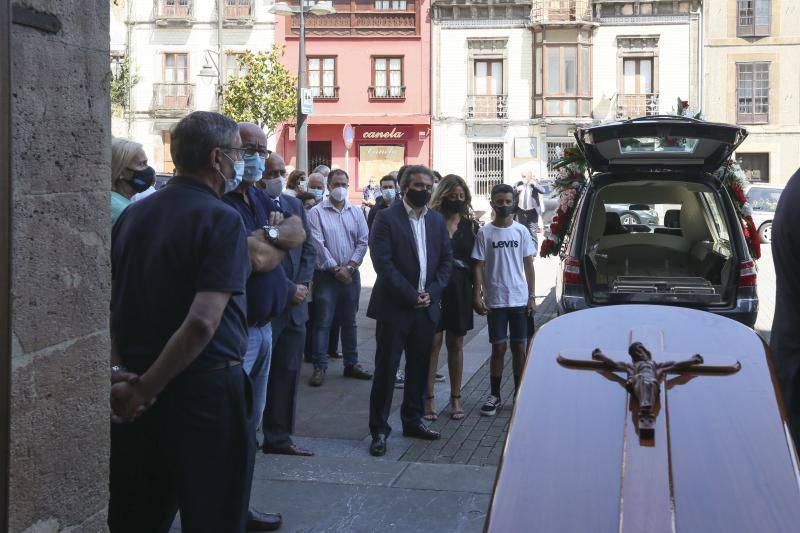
721	459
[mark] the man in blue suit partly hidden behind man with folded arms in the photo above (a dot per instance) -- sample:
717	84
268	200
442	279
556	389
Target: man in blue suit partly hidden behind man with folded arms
289	327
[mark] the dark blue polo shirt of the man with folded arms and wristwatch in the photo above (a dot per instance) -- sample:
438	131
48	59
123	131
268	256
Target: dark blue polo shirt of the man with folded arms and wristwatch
266	291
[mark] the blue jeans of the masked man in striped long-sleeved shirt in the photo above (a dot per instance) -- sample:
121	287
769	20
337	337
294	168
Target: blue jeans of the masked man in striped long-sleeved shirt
334	298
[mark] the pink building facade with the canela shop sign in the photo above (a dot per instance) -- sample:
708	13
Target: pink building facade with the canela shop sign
369	67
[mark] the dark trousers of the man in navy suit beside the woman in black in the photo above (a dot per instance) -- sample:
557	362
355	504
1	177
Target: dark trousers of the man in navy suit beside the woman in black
416	338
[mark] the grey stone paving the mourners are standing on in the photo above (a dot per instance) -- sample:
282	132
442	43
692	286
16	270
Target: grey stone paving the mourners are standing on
442	486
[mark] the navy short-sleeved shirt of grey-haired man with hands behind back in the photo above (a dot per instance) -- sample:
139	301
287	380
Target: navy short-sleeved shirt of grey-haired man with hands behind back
164	250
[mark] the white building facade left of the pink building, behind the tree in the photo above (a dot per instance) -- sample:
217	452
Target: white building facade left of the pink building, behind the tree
182	54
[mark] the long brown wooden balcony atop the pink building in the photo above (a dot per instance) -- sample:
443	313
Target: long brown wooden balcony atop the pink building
360	18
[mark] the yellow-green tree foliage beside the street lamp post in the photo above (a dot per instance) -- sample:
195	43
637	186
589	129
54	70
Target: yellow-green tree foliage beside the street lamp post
265	92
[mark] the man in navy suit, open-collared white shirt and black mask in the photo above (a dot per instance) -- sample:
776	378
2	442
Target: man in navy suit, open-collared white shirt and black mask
410	249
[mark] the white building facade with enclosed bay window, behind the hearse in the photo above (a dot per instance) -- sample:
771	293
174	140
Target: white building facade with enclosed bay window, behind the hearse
513	81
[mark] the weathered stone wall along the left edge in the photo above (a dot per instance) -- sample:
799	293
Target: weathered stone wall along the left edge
60	265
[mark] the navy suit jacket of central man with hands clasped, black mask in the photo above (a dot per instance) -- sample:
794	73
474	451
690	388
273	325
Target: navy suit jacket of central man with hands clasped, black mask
394	256
